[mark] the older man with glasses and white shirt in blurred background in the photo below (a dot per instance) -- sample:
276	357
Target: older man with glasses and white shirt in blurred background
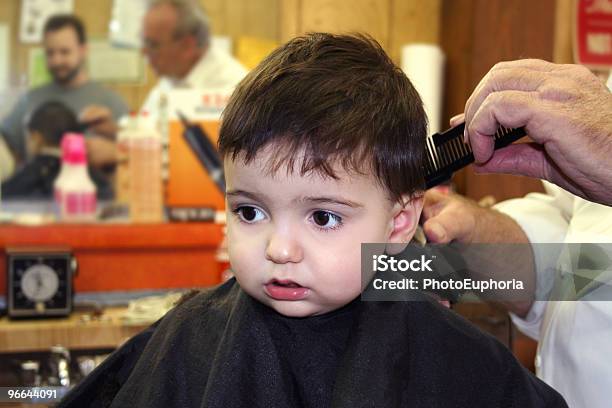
176	41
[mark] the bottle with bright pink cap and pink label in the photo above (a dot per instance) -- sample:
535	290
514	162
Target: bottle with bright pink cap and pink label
75	192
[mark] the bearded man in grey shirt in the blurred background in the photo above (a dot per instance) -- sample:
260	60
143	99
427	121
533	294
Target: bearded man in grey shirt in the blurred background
65	45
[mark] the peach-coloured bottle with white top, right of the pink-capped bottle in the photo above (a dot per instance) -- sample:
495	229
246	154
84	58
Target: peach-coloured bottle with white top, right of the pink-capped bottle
146	189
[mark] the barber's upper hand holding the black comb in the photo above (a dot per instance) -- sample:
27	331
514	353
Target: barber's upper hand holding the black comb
567	112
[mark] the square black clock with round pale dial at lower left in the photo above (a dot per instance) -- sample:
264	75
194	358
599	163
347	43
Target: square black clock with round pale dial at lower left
40	285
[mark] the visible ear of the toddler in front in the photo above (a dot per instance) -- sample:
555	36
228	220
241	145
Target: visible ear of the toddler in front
404	223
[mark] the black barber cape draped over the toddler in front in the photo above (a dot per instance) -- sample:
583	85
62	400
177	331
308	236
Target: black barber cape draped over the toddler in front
222	348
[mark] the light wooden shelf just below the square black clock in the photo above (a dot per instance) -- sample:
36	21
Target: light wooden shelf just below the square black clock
107	332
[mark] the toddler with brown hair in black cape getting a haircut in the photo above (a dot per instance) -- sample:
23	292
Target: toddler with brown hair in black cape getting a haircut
323	149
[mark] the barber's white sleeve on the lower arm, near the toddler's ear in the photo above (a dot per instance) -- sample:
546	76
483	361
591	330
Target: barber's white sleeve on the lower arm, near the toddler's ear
545	219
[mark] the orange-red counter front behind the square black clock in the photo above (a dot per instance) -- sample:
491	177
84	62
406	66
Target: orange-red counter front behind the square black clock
127	257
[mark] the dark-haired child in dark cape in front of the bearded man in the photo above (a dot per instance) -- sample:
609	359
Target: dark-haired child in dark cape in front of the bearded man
46	127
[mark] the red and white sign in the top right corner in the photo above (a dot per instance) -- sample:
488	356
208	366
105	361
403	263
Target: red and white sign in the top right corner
593	40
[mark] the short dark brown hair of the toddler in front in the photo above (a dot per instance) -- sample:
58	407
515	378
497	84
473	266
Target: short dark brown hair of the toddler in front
327	99
